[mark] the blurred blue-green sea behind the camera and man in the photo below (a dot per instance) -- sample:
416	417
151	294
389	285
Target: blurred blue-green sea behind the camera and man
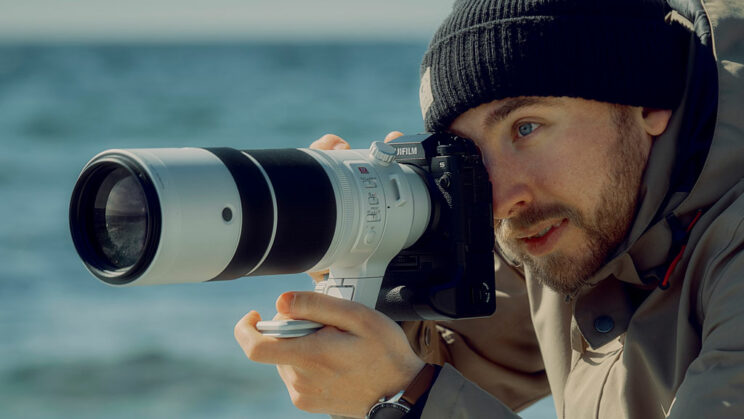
71	347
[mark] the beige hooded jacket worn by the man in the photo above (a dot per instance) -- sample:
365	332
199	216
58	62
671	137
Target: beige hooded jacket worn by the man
625	348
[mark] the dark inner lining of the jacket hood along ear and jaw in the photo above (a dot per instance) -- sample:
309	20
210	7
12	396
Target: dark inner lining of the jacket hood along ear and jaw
678	179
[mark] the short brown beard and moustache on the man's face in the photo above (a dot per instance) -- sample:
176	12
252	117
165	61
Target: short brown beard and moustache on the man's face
604	228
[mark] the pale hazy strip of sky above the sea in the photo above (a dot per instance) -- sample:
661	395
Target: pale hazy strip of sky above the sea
189	21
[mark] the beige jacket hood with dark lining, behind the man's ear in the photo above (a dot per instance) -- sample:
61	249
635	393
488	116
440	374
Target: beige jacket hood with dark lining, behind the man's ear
699	157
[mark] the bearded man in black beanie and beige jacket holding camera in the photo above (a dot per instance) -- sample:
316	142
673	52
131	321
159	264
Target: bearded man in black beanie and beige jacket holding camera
613	136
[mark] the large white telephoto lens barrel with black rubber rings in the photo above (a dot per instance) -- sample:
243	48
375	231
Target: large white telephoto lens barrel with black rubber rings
176	215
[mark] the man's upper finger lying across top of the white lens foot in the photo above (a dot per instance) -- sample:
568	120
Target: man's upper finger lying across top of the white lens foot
343	314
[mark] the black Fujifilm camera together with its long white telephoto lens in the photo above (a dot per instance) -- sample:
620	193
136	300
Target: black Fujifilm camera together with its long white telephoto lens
405	227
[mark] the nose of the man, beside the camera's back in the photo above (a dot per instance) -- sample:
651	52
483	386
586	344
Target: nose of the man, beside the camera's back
509	186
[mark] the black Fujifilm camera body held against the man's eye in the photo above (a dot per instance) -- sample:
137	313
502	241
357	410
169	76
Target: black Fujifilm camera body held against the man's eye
449	271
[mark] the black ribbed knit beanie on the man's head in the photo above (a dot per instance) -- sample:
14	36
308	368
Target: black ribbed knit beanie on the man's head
618	51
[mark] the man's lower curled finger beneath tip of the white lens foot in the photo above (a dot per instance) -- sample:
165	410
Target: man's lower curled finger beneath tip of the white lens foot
266	349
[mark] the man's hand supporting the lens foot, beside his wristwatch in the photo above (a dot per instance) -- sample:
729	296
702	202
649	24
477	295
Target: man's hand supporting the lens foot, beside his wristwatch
343	368
